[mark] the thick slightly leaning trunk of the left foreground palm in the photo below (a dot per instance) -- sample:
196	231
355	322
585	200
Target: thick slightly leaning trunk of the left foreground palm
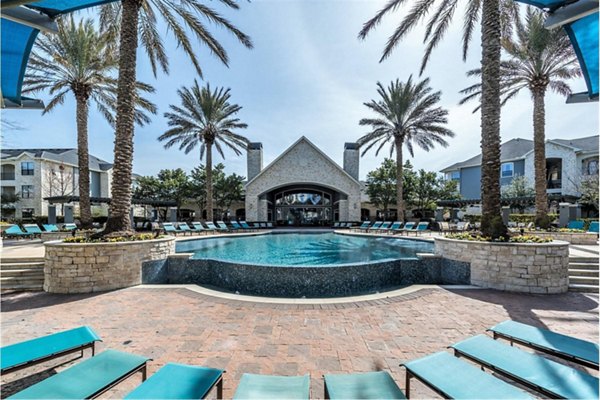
118	220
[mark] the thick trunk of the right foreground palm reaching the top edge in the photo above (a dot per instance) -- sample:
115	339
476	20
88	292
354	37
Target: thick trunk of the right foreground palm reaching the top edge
491	221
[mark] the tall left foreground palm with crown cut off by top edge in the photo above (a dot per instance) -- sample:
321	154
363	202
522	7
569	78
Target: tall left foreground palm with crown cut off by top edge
138	19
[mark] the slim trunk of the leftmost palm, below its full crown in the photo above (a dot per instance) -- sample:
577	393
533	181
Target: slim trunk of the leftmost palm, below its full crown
85	208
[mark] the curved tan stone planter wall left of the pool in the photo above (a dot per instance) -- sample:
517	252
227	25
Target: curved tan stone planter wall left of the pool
95	267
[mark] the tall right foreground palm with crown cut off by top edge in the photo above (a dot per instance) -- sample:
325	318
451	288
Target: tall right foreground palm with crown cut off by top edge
495	16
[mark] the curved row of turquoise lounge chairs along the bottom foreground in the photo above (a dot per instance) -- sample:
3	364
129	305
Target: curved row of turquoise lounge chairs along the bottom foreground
447	375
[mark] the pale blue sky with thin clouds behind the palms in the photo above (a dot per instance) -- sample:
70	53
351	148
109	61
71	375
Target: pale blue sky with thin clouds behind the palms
308	74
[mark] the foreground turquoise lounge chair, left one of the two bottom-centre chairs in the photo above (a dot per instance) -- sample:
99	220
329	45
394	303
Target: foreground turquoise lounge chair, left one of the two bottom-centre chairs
253	386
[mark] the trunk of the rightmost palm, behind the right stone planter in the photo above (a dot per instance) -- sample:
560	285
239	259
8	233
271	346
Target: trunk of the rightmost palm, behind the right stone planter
539	150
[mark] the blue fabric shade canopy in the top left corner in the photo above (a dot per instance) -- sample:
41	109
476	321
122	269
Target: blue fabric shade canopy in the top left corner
20	25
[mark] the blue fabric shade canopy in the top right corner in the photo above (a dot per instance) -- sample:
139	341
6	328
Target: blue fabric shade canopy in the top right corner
579	18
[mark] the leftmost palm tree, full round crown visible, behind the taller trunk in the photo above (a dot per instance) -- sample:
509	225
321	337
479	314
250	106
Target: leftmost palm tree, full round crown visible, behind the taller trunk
79	60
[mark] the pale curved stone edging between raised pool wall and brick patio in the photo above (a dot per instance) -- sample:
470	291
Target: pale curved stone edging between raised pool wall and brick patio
312	301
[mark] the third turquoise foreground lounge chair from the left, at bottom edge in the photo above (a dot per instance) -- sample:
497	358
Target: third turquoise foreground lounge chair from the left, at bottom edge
180	381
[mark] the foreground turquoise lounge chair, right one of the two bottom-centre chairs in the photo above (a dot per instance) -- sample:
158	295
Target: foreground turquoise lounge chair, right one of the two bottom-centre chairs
368	385
